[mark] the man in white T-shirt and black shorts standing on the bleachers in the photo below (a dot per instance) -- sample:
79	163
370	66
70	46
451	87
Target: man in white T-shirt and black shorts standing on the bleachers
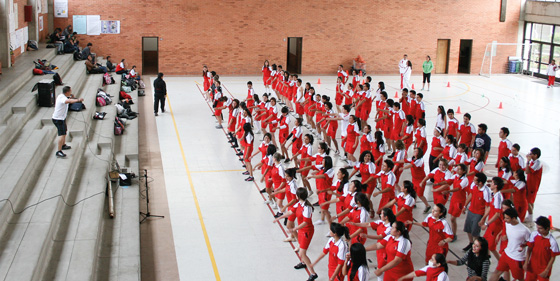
59	117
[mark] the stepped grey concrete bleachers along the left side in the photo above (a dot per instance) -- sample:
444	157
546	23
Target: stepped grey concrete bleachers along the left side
74	238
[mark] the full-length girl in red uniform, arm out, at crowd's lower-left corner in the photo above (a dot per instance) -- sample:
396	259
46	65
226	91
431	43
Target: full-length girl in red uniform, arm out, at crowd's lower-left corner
305	229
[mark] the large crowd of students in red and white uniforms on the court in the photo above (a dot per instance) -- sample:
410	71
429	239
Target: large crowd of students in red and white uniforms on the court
378	138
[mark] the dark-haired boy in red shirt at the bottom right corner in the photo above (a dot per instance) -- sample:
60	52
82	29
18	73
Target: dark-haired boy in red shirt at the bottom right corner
541	252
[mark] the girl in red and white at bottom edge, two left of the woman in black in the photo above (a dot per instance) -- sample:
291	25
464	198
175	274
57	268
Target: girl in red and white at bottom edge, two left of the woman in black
398	247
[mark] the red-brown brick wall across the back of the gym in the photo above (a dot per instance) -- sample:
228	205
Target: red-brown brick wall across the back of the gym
235	37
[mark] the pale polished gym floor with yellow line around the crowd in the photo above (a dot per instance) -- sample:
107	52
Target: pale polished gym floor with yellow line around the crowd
216	225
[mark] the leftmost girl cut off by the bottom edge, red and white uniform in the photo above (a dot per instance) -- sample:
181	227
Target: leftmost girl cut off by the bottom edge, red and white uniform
336	248
